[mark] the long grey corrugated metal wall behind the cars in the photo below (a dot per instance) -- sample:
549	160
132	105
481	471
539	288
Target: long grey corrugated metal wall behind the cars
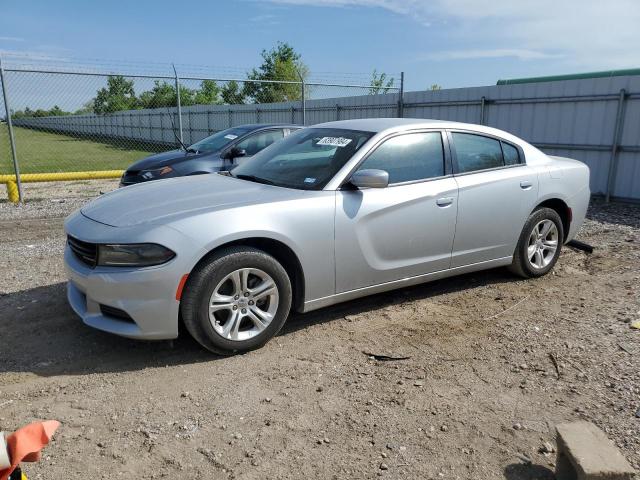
573	118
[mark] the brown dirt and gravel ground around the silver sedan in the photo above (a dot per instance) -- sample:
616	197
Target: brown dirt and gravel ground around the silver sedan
477	397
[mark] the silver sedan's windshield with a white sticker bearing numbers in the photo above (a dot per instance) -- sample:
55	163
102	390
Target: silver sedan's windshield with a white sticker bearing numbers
306	159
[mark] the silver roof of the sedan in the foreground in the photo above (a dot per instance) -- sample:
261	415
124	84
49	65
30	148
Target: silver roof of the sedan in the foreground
378	125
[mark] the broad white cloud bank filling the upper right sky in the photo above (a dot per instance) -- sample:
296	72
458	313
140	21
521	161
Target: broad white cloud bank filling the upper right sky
584	33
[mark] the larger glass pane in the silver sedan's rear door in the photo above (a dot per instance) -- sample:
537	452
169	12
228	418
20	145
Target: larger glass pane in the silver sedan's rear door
476	152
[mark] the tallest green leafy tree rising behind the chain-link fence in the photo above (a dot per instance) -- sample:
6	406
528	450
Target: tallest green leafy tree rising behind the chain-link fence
280	63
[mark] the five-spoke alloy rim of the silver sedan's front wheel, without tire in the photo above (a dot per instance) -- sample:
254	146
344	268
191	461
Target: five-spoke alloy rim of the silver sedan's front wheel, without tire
243	304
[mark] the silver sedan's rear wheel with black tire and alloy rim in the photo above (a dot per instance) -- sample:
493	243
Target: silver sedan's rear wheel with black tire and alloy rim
544	255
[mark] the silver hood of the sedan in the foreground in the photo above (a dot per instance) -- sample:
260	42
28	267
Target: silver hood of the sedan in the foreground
162	201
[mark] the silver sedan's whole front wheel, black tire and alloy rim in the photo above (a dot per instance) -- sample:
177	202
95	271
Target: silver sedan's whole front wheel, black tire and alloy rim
259	314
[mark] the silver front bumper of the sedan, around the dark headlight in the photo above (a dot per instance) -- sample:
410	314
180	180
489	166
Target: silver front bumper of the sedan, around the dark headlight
147	295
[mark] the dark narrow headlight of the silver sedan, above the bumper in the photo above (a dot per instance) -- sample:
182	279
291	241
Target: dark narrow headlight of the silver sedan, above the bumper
133	255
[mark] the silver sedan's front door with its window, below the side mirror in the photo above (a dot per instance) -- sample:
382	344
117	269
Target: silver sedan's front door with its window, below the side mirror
406	229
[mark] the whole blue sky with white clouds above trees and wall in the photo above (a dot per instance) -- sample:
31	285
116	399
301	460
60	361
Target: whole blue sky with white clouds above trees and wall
452	43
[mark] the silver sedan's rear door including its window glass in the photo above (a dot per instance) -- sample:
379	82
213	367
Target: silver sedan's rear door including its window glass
496	193
